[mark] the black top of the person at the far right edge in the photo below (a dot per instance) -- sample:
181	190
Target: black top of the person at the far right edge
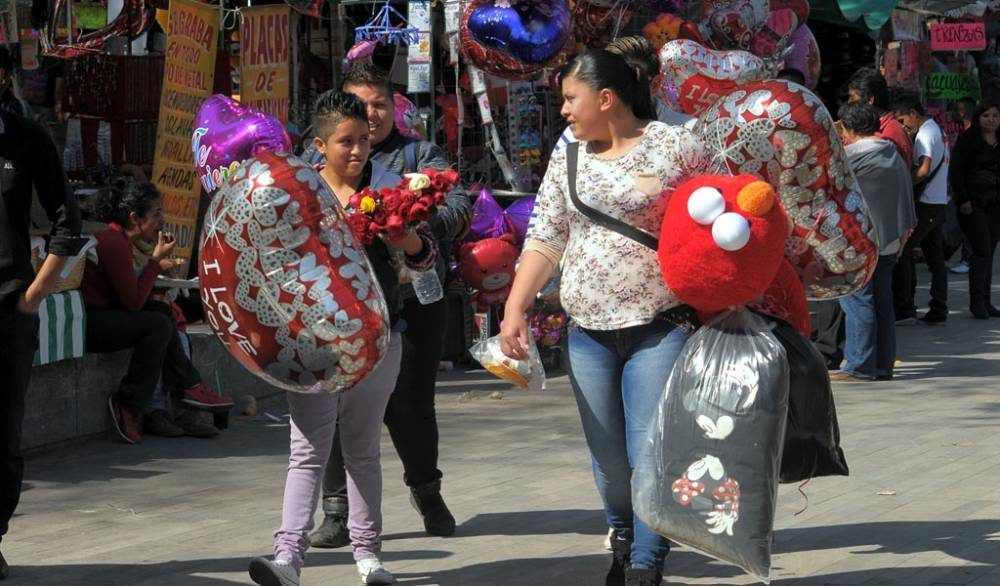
974	173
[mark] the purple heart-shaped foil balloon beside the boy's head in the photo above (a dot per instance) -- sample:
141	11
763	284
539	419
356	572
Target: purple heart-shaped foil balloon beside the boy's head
226	134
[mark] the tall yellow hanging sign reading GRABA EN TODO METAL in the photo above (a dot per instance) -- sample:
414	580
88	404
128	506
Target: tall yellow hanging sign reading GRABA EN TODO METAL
188	78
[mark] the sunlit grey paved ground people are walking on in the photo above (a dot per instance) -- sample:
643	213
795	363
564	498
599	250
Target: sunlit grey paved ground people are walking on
922	505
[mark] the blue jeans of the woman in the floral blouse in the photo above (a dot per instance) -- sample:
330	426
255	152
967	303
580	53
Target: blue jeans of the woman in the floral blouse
618	378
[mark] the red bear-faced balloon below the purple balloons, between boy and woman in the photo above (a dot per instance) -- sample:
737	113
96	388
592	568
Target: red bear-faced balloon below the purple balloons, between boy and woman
488	267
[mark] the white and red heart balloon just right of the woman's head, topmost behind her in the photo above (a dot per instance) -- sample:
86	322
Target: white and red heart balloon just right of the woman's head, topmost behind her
694	77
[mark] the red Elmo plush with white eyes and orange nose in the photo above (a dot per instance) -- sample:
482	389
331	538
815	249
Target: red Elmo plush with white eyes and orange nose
722	245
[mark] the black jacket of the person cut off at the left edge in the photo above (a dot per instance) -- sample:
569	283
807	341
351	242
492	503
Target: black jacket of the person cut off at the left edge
28	159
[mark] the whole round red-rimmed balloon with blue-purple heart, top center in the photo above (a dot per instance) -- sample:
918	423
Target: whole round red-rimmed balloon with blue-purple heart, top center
514	39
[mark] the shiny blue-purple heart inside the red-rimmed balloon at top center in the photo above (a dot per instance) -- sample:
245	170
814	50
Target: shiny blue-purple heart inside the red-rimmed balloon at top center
532	31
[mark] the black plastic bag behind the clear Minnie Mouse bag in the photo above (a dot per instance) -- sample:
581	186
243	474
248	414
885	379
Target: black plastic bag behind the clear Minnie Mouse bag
812	436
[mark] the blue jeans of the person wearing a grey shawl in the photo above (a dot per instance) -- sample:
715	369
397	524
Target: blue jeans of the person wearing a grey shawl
870	344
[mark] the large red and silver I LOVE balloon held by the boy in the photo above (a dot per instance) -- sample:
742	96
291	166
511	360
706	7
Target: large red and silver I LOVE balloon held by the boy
285	286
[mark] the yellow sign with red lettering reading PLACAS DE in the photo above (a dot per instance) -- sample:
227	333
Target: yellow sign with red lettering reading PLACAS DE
265	54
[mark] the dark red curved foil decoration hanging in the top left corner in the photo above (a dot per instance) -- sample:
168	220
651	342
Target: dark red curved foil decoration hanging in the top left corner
135	18
